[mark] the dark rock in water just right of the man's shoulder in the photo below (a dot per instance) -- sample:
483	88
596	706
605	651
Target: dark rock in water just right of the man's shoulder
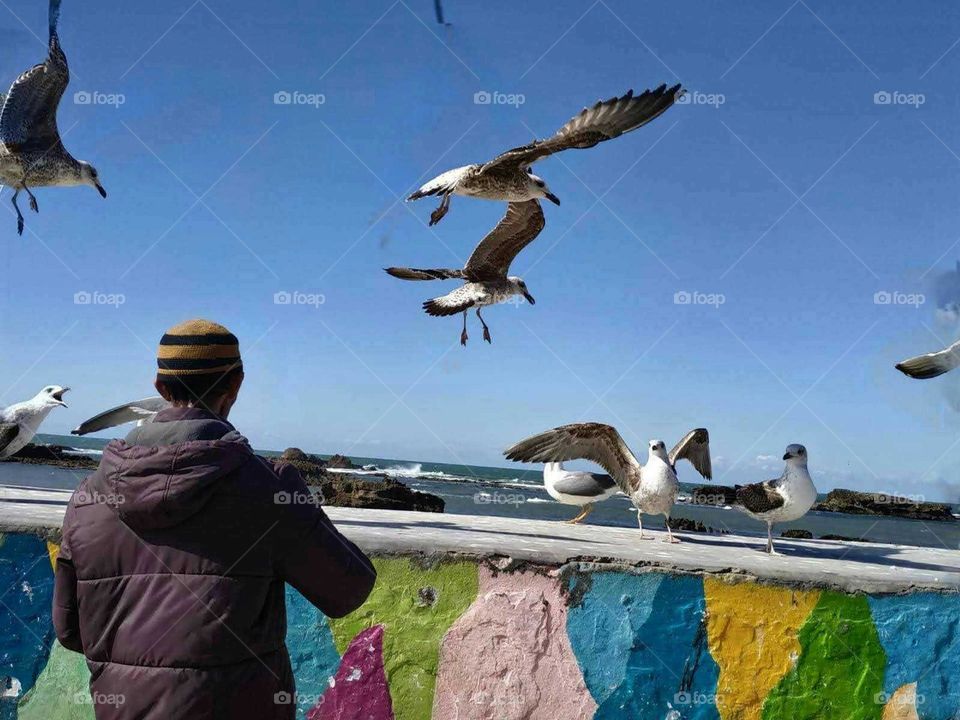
365	491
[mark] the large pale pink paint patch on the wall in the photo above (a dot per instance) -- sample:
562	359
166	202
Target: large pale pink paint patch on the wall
509	657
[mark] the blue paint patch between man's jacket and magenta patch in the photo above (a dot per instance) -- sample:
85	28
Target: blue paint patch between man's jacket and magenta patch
313	655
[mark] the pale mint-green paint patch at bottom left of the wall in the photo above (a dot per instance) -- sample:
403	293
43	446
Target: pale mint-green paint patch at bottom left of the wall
62	690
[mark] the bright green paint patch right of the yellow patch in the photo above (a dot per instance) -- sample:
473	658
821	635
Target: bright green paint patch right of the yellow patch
840	669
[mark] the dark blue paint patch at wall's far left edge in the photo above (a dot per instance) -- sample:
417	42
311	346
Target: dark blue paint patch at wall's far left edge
26	598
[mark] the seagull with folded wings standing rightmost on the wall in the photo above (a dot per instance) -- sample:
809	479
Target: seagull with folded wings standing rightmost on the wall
787	498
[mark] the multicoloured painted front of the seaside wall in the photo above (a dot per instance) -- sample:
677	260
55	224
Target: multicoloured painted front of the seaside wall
461	640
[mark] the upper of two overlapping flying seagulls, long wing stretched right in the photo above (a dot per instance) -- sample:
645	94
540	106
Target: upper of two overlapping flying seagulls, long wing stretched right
508	177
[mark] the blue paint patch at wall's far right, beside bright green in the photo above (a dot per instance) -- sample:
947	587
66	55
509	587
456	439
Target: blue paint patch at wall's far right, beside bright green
920	635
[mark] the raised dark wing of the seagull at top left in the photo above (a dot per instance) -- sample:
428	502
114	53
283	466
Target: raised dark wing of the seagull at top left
29	114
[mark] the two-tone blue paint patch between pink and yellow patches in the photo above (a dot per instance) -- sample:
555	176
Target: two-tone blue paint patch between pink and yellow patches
641	644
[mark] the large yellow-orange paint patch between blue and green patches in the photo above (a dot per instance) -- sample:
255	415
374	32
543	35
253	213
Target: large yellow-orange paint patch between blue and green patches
752	633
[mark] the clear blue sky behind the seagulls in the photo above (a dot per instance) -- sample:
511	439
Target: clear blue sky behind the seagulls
784	187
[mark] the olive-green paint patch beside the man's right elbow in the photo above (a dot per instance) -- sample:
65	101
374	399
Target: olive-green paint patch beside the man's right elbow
416	606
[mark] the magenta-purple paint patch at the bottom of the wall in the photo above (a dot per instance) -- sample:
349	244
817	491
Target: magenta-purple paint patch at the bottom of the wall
359	690
